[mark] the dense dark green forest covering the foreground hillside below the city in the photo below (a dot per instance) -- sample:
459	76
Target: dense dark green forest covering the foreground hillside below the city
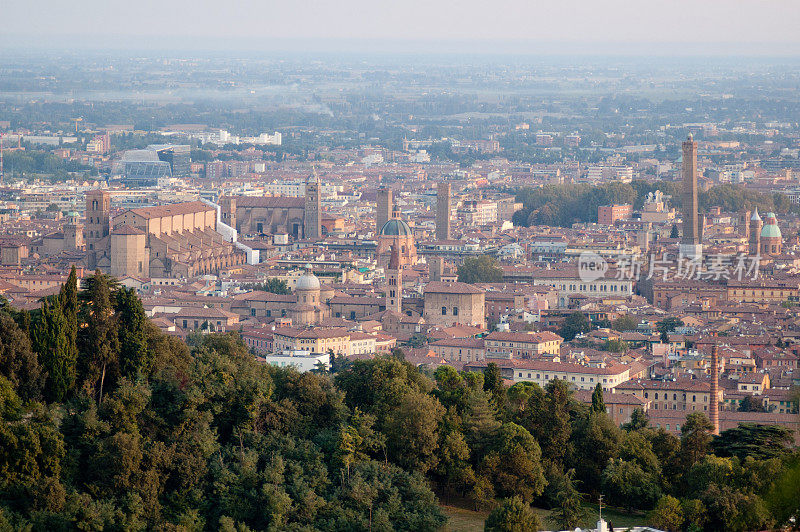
107	423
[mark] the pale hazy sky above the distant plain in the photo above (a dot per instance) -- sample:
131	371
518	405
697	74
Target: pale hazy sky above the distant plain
771	26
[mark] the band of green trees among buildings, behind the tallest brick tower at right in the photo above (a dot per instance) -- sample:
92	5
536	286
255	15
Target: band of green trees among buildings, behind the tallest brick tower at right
564	205
